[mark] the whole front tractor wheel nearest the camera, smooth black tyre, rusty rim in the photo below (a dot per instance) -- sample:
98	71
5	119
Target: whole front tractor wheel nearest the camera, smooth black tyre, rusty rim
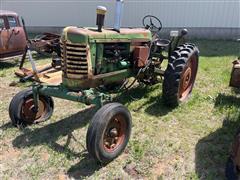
109	132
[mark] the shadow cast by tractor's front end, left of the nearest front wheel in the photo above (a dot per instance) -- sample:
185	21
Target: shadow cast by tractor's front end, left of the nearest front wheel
49	135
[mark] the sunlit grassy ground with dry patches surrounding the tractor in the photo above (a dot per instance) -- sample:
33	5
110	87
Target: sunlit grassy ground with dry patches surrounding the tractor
191	141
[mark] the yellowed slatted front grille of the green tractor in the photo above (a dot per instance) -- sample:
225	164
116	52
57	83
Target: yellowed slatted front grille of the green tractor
74	60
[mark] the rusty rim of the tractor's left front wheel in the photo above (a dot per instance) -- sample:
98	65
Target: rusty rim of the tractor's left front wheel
28	112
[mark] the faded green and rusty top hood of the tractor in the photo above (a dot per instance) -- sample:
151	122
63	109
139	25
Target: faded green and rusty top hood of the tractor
90	35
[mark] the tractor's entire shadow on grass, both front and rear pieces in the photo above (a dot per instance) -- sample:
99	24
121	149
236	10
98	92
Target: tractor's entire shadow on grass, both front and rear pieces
50	133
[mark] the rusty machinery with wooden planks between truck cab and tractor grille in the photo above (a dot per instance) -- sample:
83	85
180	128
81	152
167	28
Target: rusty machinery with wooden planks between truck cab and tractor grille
46	44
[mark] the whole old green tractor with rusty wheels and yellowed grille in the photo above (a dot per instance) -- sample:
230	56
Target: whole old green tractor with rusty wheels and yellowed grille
94	59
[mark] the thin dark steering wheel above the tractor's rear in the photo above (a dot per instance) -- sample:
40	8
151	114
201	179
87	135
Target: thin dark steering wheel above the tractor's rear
149	22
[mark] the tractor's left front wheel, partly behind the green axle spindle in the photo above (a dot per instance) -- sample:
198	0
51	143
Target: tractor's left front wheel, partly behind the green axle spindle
21	109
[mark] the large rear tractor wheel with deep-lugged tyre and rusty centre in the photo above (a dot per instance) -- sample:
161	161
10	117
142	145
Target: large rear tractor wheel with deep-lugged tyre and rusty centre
180	74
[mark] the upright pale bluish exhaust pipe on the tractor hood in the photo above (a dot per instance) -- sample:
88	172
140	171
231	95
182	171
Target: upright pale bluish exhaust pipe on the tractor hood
118	15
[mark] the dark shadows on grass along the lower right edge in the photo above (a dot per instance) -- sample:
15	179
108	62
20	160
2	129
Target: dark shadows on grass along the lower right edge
212	151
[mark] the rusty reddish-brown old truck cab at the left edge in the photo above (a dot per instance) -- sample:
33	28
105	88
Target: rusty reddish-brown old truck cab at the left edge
12	35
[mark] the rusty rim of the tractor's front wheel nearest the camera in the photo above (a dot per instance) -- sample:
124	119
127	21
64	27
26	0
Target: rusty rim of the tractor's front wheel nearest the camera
114	134
